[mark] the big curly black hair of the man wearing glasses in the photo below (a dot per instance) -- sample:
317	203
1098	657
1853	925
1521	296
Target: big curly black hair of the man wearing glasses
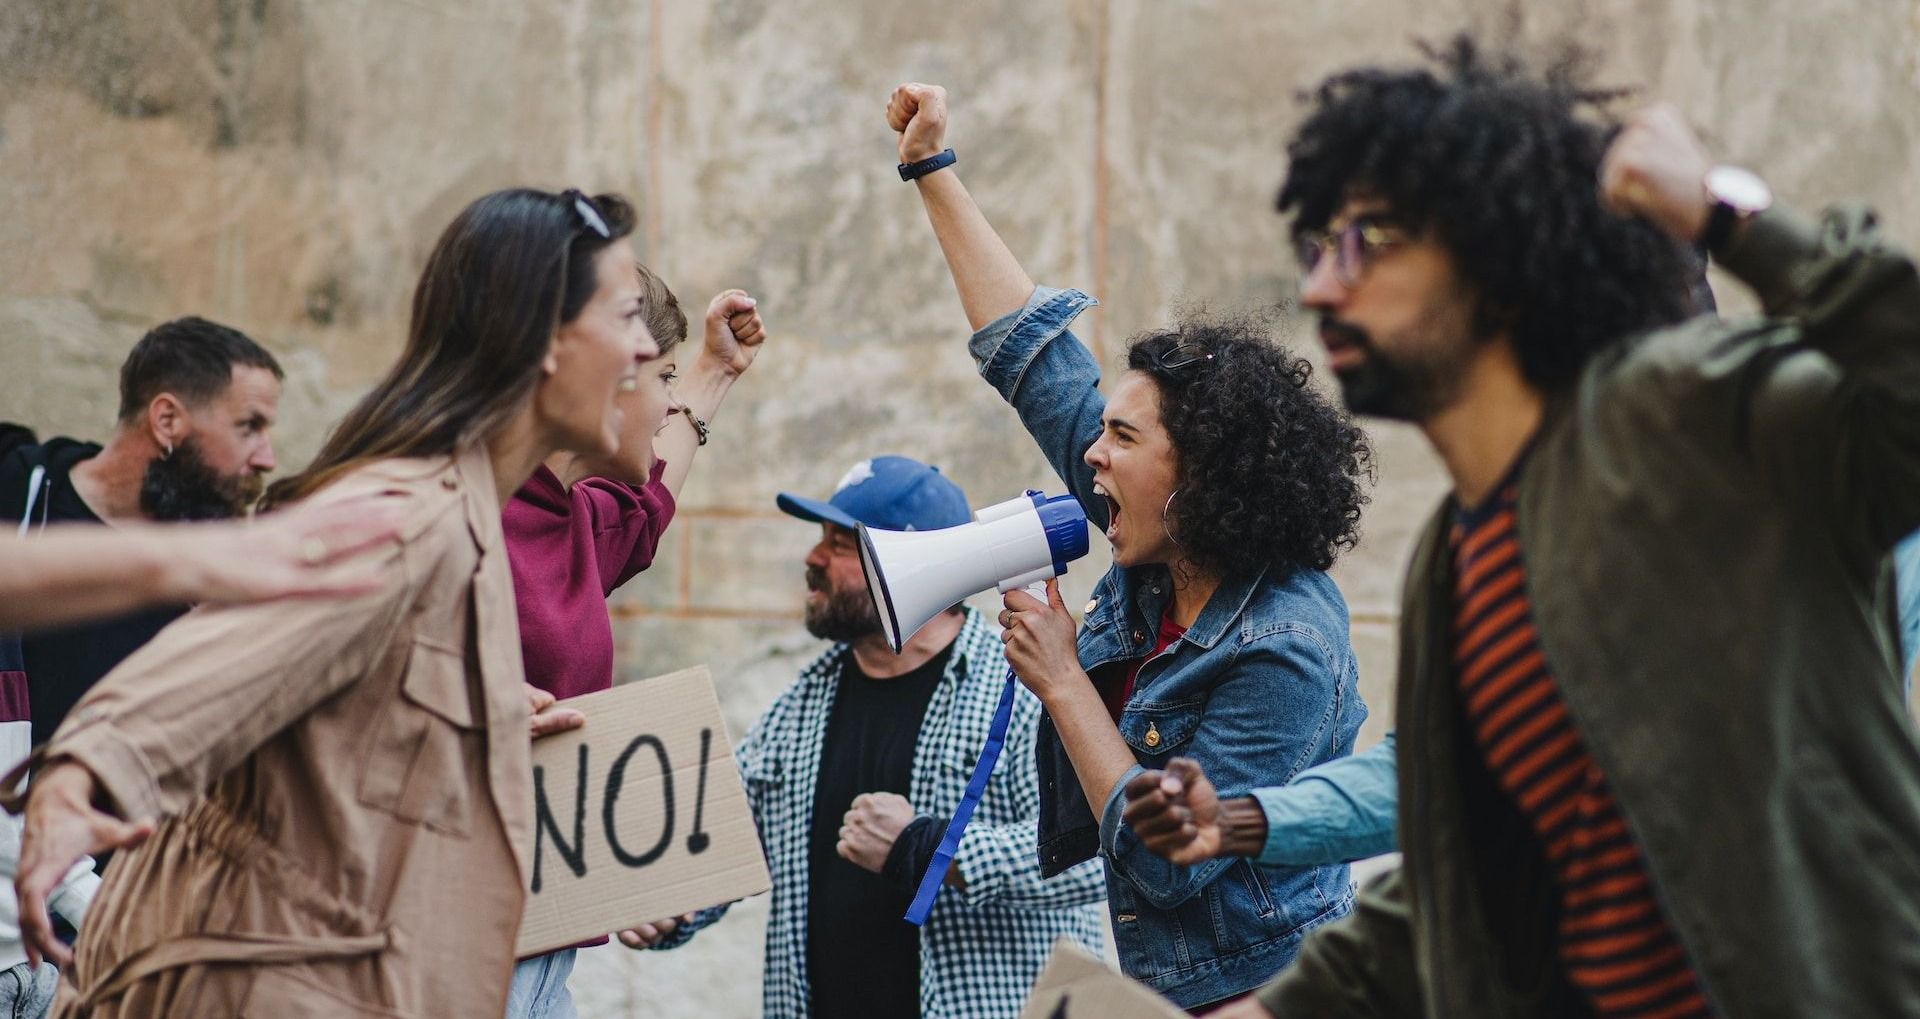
1500	166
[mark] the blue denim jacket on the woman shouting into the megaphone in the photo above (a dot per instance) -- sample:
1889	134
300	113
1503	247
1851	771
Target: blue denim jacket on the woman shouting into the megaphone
1259	690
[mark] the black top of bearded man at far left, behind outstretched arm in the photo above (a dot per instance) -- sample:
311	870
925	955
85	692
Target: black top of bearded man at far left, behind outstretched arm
66	663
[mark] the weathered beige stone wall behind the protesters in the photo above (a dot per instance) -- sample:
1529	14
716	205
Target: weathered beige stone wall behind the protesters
285	166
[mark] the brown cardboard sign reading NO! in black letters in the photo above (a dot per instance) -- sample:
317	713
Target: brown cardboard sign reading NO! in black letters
638	815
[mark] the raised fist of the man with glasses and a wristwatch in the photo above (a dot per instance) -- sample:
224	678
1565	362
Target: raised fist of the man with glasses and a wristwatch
1656	170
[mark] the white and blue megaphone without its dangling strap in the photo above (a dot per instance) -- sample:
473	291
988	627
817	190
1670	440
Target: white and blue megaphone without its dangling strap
921	575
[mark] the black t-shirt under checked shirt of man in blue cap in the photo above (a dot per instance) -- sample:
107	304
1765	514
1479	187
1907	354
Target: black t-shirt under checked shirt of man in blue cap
863	959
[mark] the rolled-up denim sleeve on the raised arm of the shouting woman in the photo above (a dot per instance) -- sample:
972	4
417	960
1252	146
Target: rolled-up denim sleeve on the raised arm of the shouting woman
1051	381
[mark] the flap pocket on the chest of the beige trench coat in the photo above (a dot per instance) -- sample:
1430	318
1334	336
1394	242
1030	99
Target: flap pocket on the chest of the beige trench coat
416	767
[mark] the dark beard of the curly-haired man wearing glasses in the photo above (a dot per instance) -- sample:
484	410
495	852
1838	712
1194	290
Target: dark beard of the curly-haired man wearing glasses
1414	385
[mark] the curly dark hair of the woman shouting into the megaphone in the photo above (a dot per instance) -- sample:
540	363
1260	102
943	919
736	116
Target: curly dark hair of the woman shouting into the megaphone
1270	473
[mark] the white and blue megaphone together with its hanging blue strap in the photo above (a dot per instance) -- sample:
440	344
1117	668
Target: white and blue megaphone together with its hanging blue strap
919	575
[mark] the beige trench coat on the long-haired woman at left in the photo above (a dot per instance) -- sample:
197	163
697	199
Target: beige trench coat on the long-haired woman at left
341	786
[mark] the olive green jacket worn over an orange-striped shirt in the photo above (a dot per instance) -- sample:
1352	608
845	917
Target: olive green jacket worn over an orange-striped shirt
1706	521
